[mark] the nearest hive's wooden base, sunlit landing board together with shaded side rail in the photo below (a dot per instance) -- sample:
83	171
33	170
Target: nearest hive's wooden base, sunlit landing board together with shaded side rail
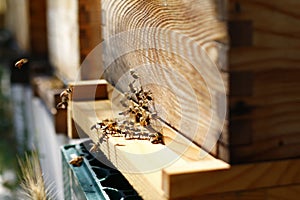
190	175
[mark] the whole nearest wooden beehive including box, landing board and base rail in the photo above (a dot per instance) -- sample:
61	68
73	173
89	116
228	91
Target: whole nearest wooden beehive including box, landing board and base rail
257	73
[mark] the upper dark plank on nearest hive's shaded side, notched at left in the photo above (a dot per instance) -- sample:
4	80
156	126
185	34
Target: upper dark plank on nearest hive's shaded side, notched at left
275	37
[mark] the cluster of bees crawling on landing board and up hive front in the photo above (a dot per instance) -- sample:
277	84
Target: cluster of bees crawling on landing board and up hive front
136	120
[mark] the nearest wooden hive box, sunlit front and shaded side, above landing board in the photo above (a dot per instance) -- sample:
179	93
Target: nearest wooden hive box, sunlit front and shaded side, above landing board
254	45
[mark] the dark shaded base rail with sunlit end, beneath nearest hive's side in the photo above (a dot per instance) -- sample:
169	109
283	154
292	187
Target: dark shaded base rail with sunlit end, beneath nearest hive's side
179	183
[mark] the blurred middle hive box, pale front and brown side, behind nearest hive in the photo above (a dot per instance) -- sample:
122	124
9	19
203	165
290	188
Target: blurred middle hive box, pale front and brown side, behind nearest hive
73	31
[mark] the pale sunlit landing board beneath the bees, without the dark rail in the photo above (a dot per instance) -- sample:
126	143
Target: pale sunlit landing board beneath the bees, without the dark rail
138	159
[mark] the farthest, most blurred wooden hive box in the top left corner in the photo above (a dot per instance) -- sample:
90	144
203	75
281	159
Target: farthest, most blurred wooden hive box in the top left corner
27	22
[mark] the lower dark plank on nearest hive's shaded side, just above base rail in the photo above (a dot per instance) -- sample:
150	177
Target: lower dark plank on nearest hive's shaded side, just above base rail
264	123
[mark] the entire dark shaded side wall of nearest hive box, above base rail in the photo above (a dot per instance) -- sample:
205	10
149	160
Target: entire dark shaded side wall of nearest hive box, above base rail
264	98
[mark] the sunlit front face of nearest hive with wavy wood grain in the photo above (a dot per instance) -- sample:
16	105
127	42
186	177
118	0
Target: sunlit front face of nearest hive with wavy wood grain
173	47
